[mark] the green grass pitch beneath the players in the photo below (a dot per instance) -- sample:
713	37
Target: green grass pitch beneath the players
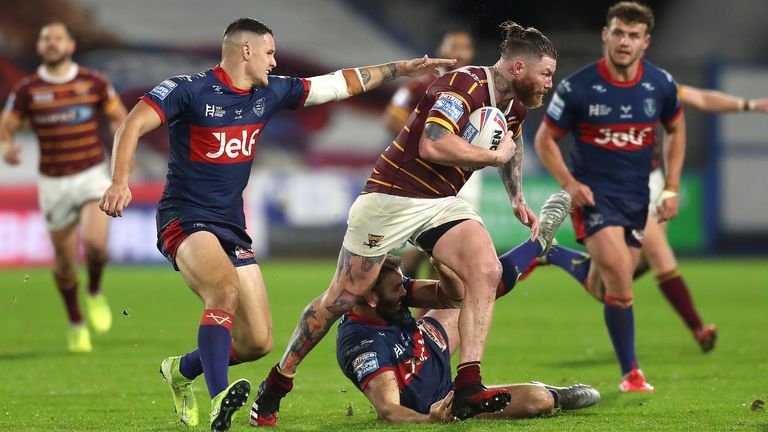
548	329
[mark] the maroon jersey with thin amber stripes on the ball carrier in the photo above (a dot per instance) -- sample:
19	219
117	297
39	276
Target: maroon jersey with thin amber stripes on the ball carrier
448	102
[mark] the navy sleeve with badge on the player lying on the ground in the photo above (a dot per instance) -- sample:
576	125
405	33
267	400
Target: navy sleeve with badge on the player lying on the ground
365	355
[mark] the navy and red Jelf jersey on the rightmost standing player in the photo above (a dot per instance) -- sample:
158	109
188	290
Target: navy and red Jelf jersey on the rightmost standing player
613	124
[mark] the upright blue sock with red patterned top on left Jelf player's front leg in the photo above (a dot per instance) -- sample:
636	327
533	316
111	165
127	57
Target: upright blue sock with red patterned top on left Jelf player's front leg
214	341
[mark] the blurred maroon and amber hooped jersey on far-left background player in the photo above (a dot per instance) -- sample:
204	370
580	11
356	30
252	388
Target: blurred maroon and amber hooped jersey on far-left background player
64	113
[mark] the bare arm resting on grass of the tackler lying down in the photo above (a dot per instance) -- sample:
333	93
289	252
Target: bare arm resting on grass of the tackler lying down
383	393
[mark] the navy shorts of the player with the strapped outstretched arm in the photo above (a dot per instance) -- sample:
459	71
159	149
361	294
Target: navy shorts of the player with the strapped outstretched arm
235	241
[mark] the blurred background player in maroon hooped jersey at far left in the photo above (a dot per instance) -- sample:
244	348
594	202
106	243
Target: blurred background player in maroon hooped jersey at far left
63	102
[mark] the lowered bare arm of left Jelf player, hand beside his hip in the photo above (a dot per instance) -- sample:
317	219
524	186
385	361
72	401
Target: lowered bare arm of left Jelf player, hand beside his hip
142	119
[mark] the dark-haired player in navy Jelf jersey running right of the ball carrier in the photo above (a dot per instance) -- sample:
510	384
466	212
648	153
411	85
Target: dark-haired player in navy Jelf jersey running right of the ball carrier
612	107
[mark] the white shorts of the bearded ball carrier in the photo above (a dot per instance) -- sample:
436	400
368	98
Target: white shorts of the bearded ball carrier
379	222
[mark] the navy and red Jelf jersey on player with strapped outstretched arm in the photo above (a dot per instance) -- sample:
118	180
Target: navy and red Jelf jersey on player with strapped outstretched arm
213	129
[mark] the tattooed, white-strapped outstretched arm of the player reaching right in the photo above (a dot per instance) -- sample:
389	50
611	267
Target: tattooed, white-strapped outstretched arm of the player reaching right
346	83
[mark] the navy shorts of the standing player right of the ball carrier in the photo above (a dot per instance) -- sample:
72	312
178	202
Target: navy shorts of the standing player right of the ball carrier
611	211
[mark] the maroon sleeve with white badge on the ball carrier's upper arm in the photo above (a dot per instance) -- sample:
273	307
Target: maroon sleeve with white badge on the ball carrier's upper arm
453	101
